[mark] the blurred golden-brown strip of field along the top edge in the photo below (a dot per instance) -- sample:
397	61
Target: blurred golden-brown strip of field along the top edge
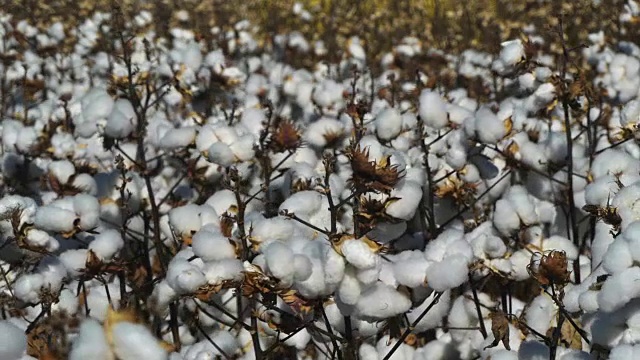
449	25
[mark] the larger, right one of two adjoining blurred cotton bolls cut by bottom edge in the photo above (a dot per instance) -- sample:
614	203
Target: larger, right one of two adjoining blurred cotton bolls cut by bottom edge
135	341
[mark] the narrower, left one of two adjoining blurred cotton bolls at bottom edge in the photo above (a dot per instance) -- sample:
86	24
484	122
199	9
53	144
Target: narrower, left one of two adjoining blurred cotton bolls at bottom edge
91	342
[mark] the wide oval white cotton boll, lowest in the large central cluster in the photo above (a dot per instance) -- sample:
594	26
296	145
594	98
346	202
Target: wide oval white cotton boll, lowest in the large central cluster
381	301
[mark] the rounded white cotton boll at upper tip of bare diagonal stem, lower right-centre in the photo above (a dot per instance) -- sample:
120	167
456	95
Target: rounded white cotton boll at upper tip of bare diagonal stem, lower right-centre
449	273
